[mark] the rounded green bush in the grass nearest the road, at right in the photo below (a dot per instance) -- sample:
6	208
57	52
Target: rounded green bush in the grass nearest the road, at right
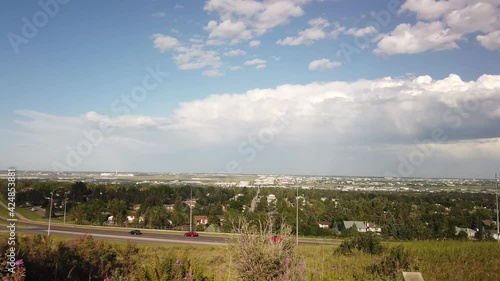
369	243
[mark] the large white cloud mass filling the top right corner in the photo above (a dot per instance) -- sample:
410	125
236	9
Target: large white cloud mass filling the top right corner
441	25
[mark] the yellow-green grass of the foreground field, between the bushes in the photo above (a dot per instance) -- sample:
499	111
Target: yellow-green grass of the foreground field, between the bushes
437	260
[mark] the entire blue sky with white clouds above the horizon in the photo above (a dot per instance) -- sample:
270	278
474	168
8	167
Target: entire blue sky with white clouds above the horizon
362	88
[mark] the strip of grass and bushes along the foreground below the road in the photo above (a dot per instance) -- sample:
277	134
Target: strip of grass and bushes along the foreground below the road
88	259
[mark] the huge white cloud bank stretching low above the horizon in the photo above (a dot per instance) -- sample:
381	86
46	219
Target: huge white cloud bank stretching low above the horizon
367	119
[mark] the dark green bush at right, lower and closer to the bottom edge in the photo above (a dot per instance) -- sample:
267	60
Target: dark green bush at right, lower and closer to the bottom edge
398	259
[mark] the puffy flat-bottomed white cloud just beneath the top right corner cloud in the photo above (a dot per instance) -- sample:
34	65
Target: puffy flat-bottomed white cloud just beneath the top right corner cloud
407	39
